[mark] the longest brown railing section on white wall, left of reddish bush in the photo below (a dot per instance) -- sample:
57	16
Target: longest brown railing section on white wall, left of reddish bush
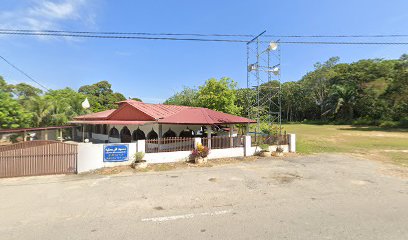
171	144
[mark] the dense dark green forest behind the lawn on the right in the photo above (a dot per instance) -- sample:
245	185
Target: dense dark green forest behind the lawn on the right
368	90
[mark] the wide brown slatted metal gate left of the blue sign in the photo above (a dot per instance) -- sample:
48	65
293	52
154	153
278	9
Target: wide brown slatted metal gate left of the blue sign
38	158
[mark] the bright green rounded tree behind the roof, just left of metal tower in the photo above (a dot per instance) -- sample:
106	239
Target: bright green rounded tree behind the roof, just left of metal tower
218	95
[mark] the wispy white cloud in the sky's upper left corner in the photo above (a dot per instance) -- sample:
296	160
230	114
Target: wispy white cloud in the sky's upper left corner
49	14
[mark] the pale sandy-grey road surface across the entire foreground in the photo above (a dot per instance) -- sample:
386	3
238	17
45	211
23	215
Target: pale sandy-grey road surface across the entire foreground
314	197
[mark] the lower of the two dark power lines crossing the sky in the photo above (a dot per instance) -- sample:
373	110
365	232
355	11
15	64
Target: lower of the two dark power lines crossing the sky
194	39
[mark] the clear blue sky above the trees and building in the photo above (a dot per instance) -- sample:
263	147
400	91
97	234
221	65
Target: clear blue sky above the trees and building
154	70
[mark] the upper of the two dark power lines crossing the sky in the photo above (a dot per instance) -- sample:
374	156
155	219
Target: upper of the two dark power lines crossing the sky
206	35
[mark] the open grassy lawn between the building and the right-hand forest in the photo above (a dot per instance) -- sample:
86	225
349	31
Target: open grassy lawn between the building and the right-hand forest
372	142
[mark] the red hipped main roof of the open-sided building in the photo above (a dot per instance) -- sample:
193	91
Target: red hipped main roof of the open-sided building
137	113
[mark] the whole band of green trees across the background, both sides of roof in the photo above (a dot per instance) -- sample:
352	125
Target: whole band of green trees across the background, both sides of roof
372	92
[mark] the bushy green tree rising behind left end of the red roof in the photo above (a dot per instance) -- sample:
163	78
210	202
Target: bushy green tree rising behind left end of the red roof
101	96
